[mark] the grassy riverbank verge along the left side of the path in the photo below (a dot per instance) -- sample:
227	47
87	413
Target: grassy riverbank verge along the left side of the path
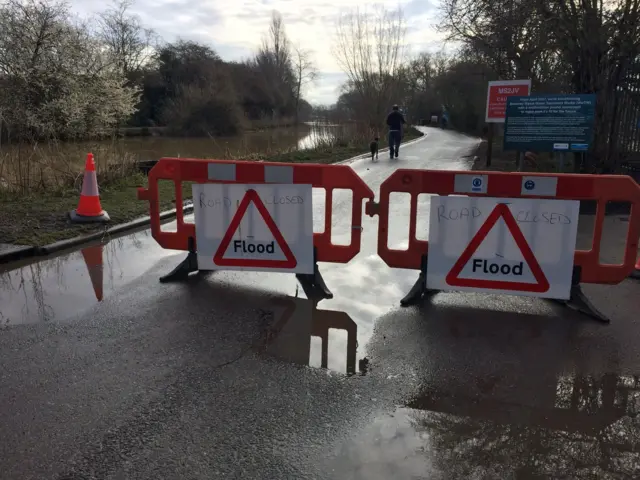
41	218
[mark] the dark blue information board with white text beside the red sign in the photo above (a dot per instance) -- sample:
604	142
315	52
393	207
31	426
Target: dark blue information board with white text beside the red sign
549	123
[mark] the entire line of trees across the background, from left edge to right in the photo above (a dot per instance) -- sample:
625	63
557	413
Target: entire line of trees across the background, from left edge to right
64	77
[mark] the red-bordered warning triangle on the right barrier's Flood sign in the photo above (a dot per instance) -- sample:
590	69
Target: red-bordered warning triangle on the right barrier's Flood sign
501	211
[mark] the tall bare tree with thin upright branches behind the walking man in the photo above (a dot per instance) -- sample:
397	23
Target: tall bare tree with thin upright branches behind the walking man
370	49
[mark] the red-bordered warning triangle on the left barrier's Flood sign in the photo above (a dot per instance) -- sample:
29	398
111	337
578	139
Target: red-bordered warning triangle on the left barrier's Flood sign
219	259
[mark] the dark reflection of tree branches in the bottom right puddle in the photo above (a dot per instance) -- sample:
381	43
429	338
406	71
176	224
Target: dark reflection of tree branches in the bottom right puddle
591	430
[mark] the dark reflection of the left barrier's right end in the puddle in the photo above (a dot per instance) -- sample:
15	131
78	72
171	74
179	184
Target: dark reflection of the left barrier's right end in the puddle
296	320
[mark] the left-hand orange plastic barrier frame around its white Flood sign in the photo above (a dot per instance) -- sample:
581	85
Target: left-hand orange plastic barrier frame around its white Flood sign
329	177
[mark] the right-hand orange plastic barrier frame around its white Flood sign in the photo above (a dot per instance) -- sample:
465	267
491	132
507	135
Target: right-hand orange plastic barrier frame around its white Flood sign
598	188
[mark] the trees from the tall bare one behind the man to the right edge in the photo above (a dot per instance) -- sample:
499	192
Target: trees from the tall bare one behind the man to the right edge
563	46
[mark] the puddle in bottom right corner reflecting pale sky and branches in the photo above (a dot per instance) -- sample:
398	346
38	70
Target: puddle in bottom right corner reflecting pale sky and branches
578	427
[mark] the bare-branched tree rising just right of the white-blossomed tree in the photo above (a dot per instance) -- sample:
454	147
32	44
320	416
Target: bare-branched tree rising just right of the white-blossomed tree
130	44
